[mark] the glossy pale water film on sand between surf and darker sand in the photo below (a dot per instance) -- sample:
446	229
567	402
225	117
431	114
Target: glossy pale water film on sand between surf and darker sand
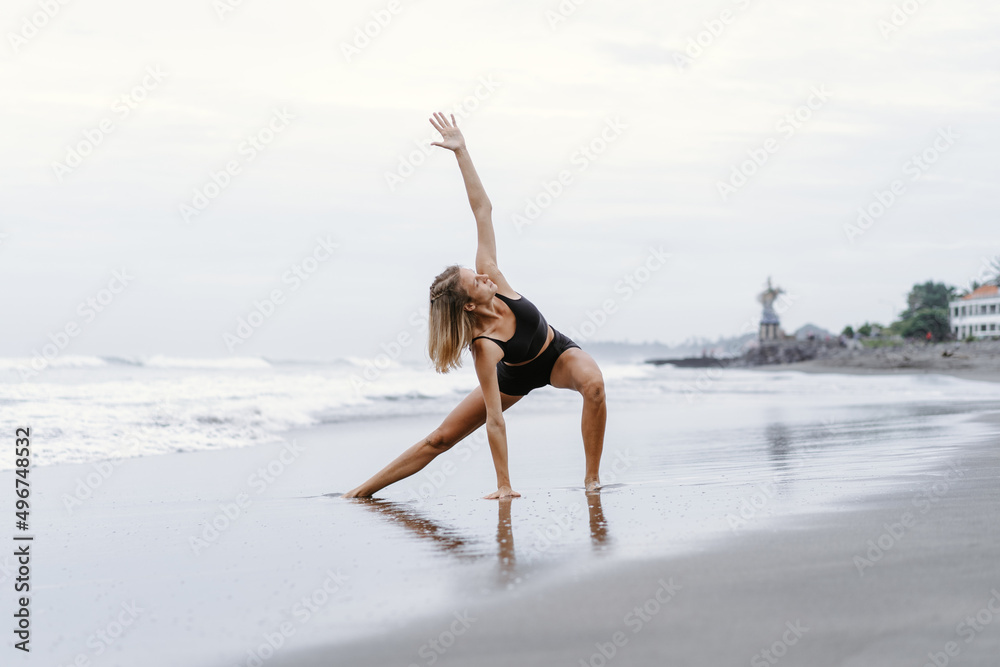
682	470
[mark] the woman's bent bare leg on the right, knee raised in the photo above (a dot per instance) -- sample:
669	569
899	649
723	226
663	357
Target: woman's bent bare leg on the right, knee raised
577	370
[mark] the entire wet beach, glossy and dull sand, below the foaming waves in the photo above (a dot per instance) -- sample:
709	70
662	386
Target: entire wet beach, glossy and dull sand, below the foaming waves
729	511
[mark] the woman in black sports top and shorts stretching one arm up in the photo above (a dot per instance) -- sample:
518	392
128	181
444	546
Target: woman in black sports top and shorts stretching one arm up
513	348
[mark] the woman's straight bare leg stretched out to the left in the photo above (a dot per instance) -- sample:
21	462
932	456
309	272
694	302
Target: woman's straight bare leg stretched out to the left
467	416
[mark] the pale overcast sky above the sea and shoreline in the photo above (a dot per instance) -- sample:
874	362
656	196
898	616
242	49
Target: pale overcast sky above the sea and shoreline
117	112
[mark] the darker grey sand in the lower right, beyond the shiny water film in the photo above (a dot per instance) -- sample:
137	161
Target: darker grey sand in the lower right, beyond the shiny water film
905	578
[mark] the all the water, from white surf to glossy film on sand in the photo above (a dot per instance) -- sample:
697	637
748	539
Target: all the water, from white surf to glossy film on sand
692	457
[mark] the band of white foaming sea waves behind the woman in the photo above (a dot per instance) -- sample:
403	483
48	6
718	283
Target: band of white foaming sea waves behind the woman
85	408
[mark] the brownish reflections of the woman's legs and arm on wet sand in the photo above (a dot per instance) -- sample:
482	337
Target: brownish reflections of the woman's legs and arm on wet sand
449	541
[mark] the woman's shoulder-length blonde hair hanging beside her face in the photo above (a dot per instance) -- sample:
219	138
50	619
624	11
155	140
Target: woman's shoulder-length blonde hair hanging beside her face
451	325
